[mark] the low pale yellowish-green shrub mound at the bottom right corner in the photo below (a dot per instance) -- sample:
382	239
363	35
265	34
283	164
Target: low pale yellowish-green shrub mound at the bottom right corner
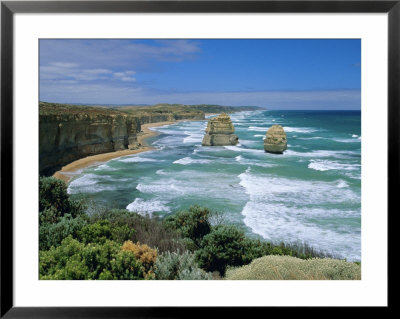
292	268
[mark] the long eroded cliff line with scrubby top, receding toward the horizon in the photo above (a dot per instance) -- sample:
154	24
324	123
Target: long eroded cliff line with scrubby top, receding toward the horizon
68	133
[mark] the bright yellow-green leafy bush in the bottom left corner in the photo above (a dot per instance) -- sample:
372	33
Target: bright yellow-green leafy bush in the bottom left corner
75	260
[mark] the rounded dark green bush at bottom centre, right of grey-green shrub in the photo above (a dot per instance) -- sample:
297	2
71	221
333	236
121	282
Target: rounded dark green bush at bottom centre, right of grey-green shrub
224	246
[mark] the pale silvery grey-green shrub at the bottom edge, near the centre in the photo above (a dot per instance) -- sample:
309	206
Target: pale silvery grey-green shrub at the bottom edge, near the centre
174	265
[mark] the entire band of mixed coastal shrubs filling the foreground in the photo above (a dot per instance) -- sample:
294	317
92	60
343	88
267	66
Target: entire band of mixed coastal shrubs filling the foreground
80	241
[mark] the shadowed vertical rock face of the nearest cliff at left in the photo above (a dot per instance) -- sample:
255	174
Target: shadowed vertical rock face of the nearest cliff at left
68	137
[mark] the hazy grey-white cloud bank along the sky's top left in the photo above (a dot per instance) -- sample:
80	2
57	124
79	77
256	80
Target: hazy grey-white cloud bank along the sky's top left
122	54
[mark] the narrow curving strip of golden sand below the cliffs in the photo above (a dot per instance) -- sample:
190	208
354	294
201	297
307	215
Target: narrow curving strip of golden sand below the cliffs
68	171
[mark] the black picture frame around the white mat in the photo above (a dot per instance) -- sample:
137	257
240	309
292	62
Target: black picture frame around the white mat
9	8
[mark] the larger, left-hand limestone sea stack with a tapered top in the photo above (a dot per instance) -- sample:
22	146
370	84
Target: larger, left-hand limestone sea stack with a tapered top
220	131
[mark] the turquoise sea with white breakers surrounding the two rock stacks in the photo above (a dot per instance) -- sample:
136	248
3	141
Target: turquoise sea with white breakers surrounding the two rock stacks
311	193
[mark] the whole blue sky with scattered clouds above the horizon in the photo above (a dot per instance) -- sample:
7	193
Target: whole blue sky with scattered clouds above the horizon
276	74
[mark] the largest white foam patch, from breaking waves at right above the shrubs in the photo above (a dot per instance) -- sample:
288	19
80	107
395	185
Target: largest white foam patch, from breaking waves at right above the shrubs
295	210
